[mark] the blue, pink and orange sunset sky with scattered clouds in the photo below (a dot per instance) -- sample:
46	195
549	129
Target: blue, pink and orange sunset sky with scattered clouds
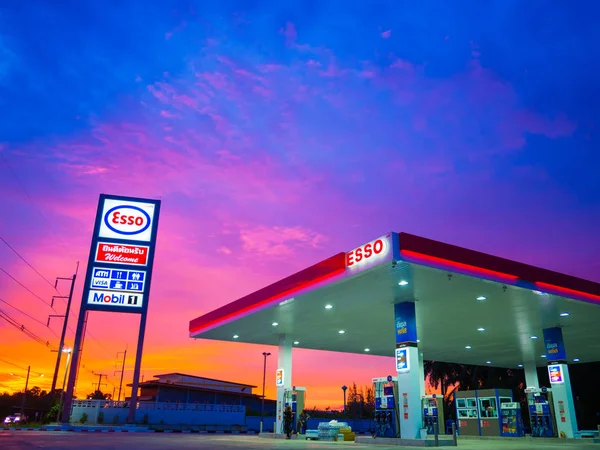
277	134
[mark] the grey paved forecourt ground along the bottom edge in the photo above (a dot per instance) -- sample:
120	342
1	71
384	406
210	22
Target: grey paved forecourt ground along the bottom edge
27	440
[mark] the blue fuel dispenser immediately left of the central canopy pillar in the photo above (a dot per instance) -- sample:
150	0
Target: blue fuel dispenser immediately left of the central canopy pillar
387	419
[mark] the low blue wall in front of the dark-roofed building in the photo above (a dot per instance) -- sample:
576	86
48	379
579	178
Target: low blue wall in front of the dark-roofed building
115	413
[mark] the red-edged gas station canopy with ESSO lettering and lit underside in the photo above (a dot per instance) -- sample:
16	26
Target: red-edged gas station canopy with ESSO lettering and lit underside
471	307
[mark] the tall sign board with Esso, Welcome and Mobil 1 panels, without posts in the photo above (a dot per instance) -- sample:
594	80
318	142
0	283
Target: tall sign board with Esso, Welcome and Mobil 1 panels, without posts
121	255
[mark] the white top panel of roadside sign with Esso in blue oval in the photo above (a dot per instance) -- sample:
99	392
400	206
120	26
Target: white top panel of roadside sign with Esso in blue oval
126	220
